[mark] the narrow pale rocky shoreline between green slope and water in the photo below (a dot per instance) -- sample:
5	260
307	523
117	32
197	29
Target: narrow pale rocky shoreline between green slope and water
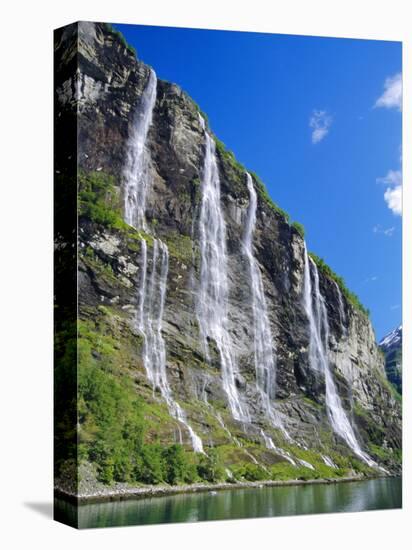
151	491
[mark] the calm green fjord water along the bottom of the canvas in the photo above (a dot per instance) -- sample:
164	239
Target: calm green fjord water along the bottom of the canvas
375	494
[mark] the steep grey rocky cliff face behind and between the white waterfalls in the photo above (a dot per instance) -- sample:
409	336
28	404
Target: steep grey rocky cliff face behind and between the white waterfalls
101	80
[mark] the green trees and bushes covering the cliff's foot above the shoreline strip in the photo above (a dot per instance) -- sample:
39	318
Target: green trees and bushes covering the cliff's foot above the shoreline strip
126	434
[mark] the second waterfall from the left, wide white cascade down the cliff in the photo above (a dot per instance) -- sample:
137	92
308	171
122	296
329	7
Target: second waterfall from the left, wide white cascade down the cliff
212	304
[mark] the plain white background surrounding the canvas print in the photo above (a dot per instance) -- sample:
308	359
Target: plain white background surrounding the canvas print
26	271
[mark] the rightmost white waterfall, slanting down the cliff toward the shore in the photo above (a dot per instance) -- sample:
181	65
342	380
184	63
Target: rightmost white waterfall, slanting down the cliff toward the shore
316	312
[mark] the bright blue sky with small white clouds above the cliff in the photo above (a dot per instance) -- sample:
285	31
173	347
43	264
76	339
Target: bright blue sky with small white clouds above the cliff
319	120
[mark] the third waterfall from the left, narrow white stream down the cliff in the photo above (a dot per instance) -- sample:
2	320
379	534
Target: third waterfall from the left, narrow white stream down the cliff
265	364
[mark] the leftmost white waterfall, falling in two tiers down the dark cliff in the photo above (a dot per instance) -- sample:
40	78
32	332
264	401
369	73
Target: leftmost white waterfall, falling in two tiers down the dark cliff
152	287
